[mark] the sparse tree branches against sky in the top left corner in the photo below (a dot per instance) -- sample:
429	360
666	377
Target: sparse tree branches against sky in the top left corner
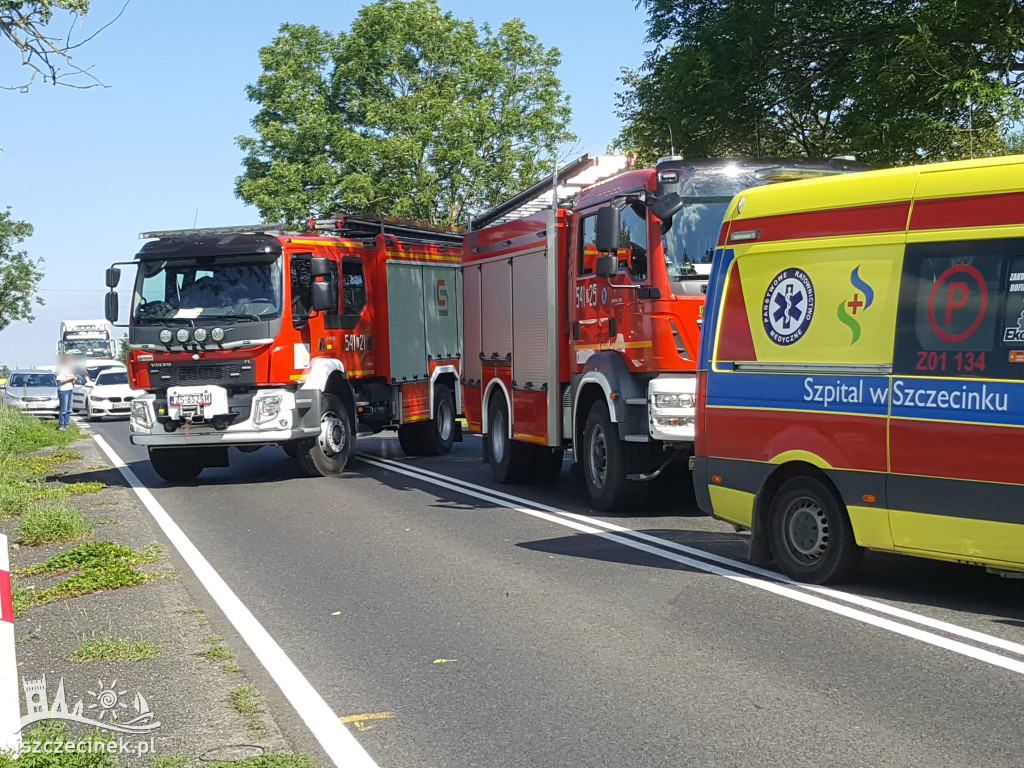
26	23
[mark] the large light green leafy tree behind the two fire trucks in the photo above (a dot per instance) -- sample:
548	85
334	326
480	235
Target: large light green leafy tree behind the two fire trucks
411	113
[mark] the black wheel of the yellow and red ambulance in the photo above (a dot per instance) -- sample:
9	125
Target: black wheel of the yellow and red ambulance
810	534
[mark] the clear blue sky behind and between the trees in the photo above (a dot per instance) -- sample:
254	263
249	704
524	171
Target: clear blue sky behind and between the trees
91	169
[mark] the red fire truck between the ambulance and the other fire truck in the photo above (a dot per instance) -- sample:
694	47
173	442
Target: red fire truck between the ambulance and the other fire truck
583	304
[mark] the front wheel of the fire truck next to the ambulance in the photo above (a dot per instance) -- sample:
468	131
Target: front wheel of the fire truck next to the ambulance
604	459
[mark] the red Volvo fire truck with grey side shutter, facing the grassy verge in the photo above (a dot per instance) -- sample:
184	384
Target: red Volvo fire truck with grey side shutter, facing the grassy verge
254	336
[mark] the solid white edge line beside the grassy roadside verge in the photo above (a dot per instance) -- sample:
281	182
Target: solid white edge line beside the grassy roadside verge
337	741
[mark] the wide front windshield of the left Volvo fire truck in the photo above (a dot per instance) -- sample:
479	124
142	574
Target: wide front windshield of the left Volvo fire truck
242	288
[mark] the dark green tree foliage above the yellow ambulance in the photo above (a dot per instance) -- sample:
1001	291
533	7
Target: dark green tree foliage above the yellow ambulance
891	81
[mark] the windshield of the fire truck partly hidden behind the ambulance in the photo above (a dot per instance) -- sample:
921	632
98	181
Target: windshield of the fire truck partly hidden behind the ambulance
694	235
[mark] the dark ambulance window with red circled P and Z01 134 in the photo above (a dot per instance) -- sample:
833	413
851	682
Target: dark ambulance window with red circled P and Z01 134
962	311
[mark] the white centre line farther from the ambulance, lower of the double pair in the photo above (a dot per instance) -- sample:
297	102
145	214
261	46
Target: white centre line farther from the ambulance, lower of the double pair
562	519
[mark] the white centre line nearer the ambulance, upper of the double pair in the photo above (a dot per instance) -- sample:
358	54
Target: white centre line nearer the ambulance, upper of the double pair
865	603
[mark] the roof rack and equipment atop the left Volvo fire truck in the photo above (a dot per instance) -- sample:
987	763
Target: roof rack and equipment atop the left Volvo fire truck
357	226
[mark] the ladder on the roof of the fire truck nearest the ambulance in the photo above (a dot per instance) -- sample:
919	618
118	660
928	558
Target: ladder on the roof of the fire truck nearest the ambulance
569	182
